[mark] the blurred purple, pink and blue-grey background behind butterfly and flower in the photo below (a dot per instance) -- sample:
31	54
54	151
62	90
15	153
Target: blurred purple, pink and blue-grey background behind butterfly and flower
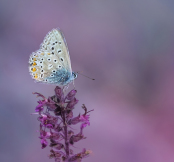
127	46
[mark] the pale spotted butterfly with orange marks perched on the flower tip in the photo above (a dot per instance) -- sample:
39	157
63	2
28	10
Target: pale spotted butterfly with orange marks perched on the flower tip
51	63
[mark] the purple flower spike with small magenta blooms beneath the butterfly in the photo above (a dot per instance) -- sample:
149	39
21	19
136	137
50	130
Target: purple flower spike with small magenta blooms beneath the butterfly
56	118
